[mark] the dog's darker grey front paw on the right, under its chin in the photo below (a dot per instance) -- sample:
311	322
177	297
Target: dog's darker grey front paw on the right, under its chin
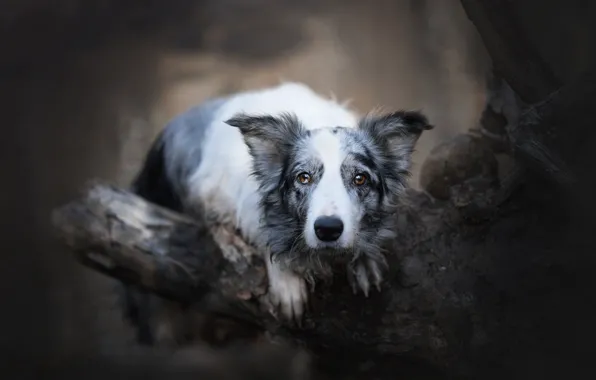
365	271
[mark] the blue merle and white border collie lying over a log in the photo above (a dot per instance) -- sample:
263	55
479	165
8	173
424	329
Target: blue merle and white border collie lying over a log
301	176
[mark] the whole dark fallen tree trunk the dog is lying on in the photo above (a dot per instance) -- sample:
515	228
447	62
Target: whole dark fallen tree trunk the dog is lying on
465	270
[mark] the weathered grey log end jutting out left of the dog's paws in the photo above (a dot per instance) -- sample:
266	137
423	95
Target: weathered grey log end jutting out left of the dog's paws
123	236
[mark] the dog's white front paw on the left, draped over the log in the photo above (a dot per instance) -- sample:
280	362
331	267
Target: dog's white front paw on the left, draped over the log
288	292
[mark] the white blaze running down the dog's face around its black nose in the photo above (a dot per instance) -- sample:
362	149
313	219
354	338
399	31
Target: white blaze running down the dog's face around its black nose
330	197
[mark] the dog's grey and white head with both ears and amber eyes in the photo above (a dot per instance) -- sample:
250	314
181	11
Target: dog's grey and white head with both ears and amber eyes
332	190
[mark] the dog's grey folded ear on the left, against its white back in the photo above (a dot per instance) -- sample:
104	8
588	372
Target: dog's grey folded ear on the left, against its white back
269	140
